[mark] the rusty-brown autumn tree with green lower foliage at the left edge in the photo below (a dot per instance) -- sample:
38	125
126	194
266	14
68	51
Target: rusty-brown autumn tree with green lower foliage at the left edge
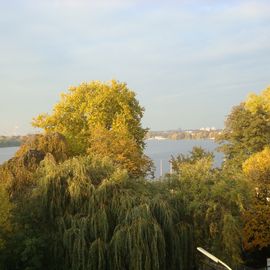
21	246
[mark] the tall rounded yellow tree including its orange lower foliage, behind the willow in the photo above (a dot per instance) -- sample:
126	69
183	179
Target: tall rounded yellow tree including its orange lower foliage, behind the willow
93	108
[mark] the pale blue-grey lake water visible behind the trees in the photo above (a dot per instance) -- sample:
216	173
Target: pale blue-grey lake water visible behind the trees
160	151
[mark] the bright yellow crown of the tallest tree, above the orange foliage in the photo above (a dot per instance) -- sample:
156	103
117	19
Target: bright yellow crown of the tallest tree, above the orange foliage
110	105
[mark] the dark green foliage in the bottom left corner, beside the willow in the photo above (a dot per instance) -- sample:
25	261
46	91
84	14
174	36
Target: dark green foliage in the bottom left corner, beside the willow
27	244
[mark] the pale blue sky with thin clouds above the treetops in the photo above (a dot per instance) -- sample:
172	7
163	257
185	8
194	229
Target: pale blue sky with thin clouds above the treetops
189	61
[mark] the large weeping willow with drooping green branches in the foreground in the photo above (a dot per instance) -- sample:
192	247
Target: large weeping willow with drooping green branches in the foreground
101	219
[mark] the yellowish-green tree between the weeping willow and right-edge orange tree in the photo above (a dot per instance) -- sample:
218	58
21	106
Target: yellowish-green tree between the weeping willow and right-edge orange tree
215	201
